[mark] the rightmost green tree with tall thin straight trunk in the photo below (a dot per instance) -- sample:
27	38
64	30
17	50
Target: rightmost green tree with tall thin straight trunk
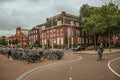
111	17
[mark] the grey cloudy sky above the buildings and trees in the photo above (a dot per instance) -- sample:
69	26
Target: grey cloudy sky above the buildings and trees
29	13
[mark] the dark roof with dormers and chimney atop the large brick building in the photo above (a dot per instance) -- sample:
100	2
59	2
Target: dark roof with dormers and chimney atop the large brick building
52	21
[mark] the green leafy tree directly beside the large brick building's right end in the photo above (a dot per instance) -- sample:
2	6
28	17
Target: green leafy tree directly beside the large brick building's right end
88	16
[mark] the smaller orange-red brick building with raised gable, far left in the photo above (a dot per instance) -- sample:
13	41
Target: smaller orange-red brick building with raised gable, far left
20	35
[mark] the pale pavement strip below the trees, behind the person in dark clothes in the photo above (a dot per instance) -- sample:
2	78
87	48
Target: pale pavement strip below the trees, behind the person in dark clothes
106	51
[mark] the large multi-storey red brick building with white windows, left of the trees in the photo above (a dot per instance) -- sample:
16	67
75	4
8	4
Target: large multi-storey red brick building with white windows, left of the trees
60	30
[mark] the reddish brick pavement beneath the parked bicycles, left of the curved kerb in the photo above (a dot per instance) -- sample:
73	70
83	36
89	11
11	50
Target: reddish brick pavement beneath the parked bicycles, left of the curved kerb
12	70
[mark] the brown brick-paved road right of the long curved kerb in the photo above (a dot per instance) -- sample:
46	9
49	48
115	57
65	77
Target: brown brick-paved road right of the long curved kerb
87	68
